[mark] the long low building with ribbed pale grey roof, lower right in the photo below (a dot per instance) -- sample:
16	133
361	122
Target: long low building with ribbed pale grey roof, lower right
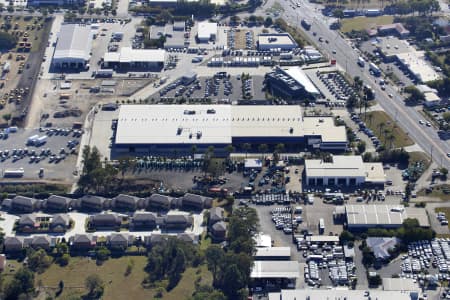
385	216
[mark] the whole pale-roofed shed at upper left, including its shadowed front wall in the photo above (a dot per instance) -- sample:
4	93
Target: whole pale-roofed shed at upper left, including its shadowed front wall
73	47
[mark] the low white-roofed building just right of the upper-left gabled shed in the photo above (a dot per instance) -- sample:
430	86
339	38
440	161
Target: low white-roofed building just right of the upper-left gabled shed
148	59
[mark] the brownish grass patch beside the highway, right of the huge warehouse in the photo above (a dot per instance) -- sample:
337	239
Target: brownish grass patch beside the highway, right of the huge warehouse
401	139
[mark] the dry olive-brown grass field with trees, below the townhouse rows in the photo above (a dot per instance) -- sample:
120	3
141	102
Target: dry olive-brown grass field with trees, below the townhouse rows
117	285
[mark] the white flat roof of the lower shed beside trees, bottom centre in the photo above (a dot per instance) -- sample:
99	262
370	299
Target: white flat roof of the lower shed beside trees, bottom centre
275	269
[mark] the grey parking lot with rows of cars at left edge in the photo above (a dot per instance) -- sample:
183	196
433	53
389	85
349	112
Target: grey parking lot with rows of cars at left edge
56	155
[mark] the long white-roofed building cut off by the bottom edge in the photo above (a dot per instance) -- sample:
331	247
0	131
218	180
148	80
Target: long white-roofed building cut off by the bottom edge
322	294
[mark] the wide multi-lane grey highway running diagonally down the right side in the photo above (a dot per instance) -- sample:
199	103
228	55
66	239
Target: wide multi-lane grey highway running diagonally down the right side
407	117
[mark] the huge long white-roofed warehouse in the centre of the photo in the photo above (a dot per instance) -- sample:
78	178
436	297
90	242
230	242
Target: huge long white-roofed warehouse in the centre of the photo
166	128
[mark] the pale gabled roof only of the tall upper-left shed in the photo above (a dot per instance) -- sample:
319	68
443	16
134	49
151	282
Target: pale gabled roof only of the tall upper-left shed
74	42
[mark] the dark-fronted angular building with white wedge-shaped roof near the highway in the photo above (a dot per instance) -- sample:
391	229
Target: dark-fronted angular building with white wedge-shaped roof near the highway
291	84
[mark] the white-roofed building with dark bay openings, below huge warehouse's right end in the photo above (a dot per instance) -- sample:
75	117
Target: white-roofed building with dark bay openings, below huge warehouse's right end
343	171
